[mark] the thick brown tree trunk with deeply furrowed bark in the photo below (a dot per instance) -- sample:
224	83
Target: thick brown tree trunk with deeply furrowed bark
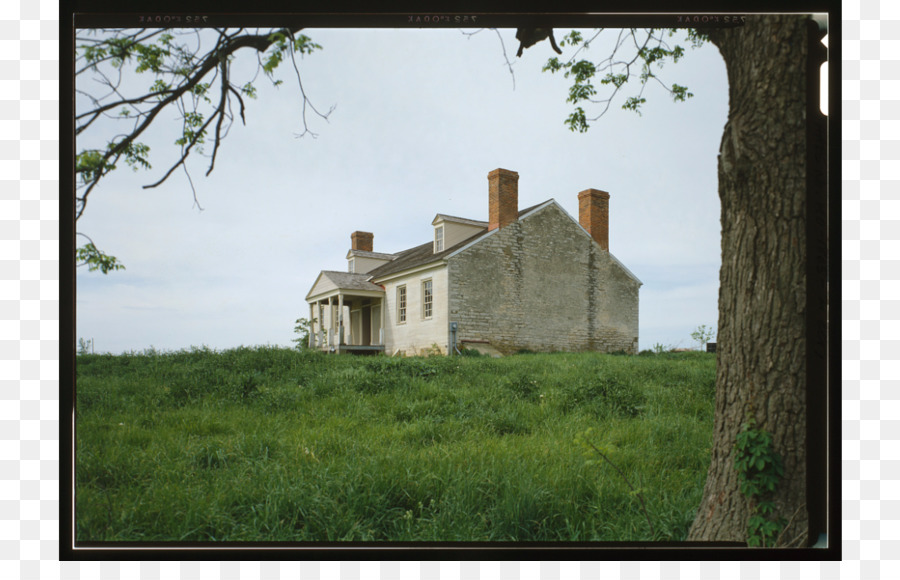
762	334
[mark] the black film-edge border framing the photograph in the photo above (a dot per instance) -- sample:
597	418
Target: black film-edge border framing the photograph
823	365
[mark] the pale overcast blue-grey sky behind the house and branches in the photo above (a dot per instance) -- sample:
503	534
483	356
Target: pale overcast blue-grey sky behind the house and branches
420	118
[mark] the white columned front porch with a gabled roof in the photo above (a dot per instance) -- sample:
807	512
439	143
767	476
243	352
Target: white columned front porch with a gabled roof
346	314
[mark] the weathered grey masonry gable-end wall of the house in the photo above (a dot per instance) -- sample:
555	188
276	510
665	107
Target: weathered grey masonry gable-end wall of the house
542	284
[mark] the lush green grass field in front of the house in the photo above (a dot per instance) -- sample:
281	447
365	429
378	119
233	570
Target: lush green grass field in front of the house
271	444
